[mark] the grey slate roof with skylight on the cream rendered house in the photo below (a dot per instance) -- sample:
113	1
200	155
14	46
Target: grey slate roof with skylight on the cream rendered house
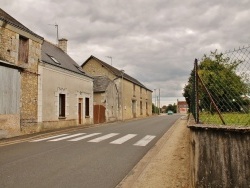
54	55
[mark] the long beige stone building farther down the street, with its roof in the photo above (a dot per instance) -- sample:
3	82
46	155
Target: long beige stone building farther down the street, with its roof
134	99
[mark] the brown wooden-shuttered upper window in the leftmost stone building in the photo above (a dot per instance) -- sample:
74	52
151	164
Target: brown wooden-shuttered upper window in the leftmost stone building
23	51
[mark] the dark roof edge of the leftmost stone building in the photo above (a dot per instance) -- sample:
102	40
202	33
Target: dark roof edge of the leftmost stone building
5	17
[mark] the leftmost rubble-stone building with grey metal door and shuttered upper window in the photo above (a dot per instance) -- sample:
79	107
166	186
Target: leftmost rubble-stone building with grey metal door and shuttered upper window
20	51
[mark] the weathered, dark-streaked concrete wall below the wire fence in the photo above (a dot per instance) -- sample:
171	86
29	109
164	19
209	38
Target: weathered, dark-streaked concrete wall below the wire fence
220	156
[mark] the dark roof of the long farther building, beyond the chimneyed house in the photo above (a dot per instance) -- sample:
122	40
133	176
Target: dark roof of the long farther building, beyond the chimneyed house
116	72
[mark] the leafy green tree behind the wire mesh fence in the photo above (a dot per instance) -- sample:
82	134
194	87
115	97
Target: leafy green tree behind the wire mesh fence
219	76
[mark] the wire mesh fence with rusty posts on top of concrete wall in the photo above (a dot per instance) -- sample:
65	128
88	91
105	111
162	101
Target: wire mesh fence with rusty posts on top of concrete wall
218	91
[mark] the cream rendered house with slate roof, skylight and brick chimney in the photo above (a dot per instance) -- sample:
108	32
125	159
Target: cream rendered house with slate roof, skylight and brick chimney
65	92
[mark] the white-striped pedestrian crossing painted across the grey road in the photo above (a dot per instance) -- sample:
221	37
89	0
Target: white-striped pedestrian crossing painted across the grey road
114	138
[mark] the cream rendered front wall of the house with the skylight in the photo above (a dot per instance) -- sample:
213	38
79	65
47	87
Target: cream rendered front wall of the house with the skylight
54	81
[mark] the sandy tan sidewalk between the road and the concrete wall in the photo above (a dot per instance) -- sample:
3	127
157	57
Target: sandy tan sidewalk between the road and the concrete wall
166	164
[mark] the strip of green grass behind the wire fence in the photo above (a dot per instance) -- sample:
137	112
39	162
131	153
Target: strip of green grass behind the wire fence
237	119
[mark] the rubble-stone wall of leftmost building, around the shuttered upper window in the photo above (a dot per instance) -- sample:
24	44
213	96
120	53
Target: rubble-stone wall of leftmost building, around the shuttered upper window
9	49
